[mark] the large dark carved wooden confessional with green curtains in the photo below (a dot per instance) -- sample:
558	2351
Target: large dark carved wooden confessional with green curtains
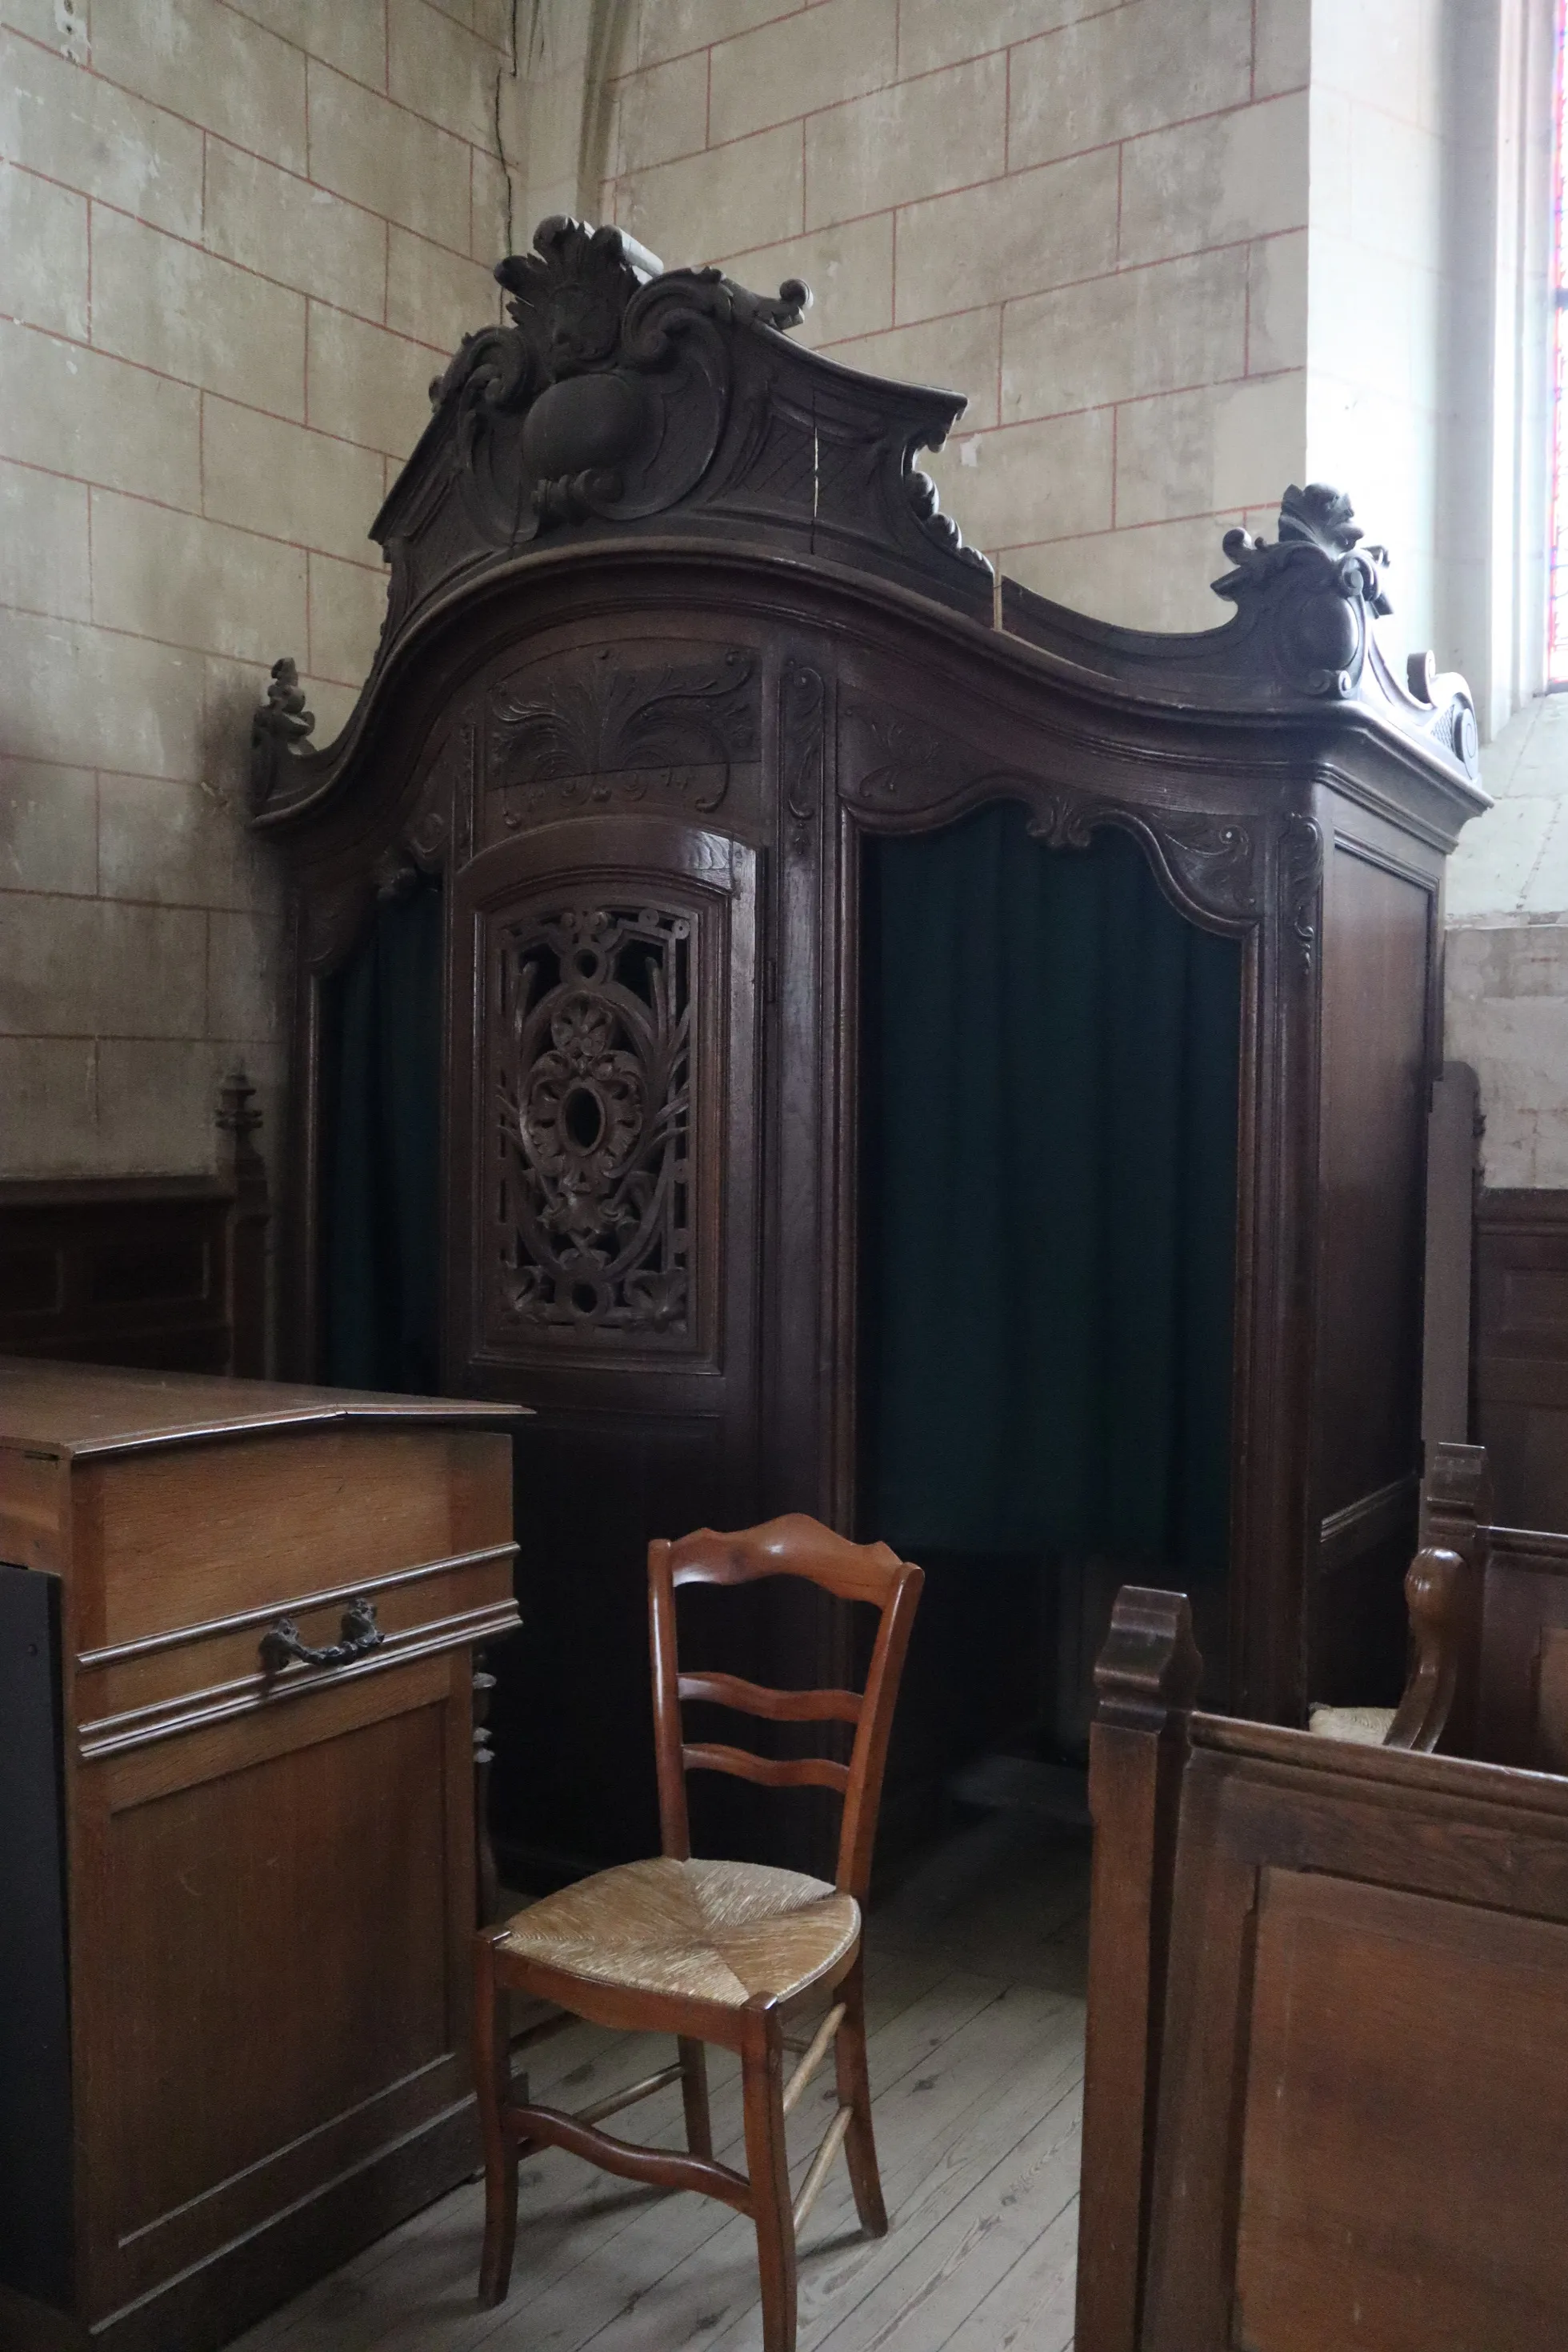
610	897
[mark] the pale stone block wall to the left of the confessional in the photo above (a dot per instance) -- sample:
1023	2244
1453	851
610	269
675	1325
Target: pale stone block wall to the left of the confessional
236	243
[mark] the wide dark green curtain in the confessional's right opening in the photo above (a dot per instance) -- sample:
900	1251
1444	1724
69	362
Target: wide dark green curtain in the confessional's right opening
1050	1203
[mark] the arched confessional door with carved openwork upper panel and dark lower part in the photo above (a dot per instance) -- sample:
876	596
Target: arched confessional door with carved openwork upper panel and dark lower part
603	1229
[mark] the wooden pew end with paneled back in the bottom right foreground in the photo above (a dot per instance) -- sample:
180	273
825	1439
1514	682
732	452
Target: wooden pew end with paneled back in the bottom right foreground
1327	2092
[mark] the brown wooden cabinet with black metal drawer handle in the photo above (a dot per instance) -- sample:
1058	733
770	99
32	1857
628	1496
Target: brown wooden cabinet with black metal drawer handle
239	1880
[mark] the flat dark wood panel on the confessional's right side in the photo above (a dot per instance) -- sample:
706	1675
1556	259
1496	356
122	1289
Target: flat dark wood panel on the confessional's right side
1379	1053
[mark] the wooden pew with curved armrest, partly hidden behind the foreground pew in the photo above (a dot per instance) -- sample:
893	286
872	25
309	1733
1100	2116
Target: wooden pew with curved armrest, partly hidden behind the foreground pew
1489	1633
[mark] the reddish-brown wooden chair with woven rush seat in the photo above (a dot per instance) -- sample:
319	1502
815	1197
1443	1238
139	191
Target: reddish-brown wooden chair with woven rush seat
723	1953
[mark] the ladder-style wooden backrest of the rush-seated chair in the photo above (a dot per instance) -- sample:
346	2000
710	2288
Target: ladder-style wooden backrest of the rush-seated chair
859	1572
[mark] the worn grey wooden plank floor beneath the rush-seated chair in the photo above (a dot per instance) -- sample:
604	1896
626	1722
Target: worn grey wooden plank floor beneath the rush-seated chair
977	2057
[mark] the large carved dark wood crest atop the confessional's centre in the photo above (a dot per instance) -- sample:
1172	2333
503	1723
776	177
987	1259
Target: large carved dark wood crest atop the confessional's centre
626	394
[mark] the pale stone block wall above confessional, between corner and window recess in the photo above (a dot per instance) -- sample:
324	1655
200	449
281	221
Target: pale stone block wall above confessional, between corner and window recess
1085	215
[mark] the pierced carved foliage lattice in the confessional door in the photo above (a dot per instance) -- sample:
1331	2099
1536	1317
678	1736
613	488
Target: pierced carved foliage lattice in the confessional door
594	1107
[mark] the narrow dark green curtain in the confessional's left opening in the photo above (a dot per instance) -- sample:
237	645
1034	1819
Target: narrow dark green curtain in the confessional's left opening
384	1067
